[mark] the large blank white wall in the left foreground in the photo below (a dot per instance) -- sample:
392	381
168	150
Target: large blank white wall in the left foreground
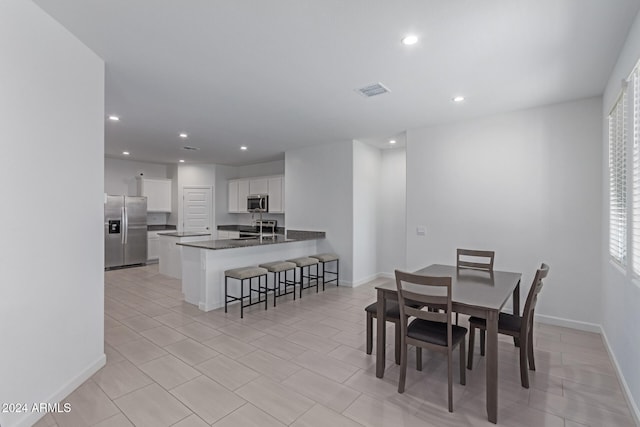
51	268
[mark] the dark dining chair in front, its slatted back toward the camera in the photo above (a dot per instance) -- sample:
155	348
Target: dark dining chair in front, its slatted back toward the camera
432	330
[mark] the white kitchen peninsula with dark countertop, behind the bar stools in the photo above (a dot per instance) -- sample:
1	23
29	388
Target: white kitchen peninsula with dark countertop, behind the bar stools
204	262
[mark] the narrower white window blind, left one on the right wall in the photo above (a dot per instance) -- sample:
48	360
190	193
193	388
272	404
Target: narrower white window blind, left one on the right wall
618	181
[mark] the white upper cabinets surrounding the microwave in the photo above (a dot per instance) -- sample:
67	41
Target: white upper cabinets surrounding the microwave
239	189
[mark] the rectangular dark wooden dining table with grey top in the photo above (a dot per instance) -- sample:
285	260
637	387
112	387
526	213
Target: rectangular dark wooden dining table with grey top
474	292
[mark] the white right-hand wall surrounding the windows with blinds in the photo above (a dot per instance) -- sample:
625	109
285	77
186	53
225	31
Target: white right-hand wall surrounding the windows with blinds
620	297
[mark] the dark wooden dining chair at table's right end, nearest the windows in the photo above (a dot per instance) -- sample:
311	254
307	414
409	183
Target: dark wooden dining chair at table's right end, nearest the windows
519	327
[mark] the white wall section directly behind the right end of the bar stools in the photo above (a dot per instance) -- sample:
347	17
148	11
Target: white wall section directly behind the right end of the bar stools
318	196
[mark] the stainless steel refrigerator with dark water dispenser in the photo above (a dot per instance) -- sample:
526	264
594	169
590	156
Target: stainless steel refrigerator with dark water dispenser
125	231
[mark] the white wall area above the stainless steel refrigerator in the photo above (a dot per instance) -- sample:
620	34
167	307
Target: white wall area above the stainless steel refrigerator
120	175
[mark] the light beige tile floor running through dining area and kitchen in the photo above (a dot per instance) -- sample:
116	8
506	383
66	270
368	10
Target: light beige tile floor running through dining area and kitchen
303	364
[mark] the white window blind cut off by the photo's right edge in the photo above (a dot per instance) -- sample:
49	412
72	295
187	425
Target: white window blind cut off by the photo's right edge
635	240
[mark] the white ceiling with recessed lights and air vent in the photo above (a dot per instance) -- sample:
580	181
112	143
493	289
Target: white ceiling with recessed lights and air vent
276	75
